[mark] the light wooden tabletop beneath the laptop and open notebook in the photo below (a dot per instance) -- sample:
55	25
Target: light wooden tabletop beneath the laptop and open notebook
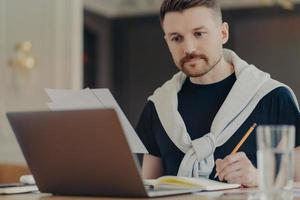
242	195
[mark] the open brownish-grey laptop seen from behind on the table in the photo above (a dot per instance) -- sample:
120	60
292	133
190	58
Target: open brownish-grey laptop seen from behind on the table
81	152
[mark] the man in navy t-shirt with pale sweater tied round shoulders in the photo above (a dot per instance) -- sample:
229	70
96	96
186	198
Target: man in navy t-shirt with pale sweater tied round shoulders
191	124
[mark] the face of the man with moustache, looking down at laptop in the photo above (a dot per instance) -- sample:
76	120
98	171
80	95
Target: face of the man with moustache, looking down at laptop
195	39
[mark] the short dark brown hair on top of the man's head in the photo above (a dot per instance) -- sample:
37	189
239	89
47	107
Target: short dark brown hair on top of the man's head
180	5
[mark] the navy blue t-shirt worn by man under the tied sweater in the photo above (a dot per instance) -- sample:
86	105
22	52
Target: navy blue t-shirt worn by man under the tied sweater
198	104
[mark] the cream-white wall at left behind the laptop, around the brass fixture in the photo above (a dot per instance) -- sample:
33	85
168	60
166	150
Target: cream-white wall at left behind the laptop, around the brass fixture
55	29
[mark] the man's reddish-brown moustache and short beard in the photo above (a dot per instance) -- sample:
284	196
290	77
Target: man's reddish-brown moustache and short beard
193	69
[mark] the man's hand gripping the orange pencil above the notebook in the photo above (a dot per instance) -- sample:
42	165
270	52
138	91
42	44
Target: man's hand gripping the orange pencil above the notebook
237	168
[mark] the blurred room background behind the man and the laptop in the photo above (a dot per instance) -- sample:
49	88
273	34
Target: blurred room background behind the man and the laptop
118	44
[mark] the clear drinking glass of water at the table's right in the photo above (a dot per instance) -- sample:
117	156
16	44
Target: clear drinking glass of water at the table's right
275	157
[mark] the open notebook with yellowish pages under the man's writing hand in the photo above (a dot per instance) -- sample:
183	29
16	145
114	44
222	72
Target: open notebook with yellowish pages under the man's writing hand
185	182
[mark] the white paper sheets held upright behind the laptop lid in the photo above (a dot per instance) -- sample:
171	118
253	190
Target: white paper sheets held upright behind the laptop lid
93	99
